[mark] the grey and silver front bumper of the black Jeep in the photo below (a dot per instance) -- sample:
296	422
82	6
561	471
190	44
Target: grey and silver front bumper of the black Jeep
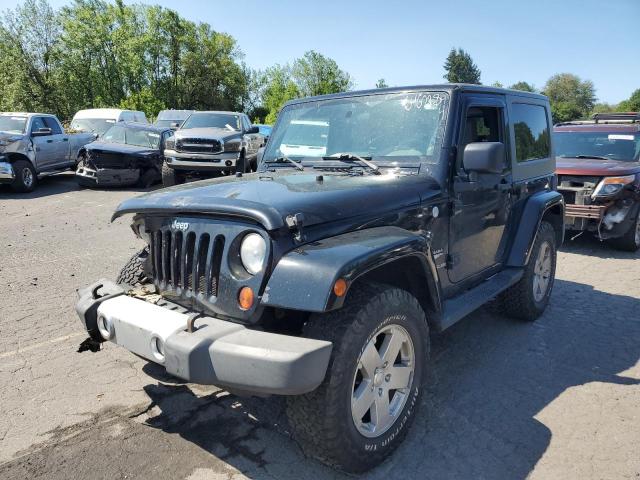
218	352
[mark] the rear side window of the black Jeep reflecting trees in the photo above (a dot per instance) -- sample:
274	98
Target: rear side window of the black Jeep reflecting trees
531	132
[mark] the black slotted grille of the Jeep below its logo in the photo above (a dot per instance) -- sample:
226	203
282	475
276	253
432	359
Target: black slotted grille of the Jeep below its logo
186	262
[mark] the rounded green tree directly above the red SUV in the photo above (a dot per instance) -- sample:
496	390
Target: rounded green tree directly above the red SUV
570	97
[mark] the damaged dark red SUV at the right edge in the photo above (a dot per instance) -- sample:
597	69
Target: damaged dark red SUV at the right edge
598	167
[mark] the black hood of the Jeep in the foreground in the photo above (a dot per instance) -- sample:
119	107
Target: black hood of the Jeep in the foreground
269	199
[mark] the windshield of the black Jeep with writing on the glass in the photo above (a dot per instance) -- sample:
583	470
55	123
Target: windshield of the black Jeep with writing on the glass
388	128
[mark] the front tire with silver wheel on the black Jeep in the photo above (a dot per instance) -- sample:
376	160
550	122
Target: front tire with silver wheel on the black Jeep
329	423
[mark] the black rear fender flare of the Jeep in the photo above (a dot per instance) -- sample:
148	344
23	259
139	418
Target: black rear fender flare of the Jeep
537	207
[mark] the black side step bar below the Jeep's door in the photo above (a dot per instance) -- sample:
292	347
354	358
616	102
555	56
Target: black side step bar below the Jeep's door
456	308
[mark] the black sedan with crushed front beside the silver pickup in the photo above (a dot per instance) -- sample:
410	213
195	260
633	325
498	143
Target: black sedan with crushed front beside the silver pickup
127	154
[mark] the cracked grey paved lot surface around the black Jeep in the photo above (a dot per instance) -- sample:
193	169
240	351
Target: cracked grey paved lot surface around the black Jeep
556	399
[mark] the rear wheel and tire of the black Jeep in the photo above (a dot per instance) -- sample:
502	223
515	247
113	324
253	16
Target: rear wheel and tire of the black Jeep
527	299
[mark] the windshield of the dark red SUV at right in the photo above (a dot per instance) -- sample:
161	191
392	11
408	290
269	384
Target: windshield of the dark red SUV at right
610	145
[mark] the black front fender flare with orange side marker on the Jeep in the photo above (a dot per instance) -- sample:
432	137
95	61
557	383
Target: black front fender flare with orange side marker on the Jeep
304	278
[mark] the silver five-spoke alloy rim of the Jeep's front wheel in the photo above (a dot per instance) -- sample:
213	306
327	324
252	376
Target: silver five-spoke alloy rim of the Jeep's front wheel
382	380
